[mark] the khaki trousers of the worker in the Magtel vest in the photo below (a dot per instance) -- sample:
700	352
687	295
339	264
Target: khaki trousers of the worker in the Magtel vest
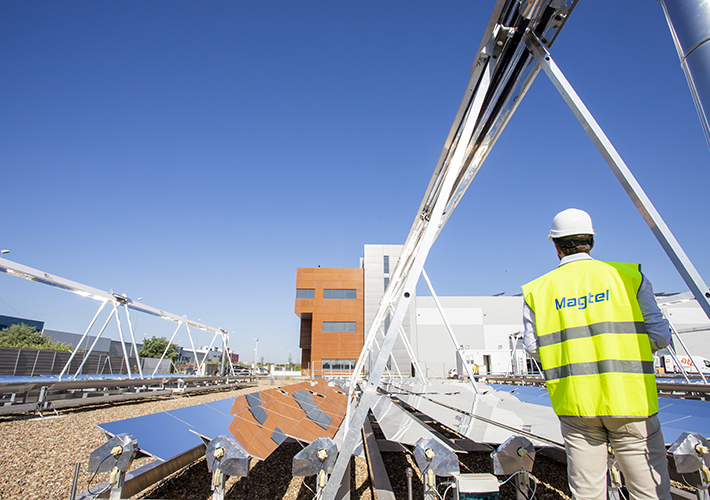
639	450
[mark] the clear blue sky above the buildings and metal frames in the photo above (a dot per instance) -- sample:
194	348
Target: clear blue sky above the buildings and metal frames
196	153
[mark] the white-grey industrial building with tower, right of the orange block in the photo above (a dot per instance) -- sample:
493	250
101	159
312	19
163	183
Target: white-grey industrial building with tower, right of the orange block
488	328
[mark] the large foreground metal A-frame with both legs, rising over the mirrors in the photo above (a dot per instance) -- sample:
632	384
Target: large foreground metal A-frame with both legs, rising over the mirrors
479	122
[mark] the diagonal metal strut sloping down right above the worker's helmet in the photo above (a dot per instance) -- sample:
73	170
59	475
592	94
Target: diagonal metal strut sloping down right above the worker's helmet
623	174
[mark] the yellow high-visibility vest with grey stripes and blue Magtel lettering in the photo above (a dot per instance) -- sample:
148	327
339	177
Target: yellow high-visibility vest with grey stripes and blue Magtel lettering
594	350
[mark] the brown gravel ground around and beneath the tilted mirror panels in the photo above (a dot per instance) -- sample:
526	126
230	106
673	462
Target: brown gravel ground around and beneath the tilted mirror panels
37	459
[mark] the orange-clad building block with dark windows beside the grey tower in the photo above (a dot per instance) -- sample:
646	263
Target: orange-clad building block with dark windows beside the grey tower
330	303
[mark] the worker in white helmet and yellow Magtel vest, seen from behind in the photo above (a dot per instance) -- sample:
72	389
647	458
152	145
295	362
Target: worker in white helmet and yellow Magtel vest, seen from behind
594	327
